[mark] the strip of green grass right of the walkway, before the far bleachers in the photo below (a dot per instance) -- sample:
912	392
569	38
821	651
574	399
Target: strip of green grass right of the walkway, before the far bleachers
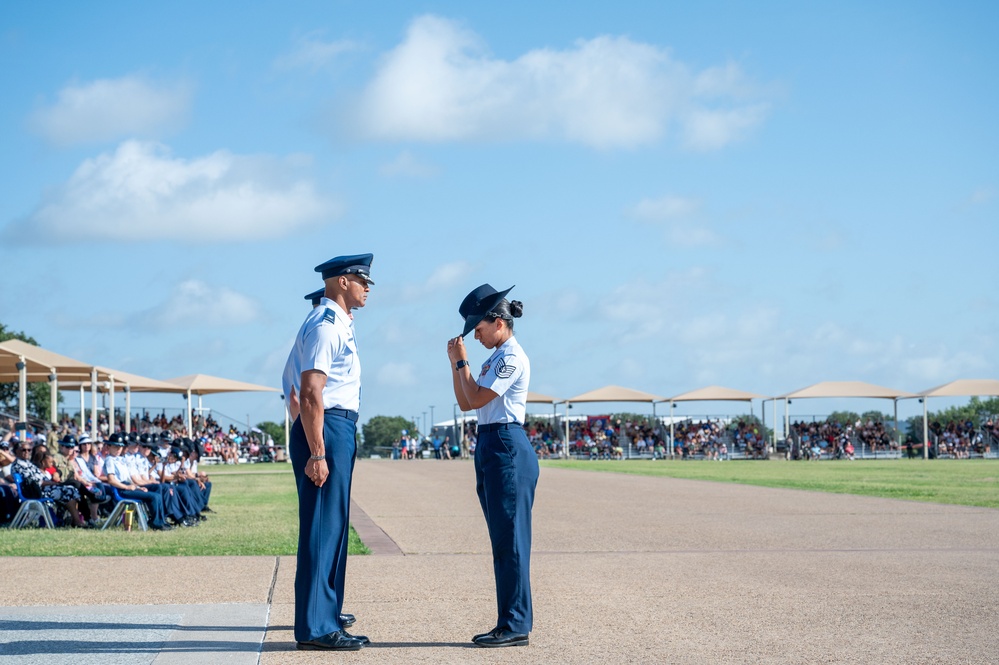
960	482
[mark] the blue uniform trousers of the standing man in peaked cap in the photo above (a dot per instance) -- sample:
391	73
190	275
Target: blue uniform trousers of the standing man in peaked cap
323	521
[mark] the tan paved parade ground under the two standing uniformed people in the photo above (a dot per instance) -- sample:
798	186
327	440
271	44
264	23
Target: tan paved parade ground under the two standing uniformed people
626	569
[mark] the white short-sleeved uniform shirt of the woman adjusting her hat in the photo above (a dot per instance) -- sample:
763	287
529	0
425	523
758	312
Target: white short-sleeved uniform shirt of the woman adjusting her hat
507	373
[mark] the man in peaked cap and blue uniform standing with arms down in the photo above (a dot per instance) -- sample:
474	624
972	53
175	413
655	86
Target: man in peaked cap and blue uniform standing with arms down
322	452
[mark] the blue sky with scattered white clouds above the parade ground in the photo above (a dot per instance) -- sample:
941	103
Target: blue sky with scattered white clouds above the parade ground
756	195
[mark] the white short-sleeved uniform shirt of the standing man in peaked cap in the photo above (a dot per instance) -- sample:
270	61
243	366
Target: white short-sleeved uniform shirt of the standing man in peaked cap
326	343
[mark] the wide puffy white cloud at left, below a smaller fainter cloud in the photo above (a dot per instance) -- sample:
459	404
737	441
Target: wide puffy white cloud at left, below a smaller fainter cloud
141	193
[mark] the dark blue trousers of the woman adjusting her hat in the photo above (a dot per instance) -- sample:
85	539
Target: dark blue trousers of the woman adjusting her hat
506	475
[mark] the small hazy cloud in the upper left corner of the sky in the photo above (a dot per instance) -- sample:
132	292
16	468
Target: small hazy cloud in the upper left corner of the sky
109	109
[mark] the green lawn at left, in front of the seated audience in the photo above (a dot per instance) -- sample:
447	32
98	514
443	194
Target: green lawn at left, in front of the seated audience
256	513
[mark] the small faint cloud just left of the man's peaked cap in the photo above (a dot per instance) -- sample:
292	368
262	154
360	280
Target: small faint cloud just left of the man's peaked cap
196	304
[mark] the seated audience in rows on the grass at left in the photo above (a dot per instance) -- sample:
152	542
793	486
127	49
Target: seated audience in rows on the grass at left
81	484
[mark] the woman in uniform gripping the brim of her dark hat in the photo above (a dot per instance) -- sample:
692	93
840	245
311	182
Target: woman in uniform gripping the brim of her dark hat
506	468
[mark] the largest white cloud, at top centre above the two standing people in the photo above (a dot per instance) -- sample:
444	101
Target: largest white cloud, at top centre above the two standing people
441	84
